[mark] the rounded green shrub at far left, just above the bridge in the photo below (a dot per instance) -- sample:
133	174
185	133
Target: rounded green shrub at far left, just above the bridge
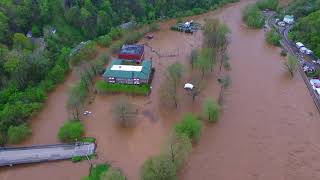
17	134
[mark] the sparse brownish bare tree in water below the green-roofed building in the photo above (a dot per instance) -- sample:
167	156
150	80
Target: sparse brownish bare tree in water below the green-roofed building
124	113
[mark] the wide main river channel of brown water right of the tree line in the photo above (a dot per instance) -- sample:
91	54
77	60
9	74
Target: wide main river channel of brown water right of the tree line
269	128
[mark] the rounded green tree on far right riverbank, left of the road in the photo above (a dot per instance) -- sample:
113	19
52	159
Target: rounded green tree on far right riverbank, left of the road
252	16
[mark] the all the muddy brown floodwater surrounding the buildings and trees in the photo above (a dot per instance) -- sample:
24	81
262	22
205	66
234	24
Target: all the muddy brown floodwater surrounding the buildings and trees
268	129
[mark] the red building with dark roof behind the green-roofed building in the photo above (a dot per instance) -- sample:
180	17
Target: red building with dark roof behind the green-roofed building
132	52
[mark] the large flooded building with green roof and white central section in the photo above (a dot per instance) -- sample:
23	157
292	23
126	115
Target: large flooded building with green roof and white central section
120	72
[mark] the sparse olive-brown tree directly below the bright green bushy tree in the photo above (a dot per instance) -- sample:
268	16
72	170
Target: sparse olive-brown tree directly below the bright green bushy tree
179	147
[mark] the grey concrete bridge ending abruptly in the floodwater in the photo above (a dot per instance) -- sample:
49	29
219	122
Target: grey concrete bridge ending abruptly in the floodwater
43	153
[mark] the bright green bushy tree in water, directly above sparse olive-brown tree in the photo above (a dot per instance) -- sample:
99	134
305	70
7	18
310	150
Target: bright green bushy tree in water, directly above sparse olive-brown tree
189	126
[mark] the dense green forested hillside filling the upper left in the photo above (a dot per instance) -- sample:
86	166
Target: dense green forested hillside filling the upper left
30	66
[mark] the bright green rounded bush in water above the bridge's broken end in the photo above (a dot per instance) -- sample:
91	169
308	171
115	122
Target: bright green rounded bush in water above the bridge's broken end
71	131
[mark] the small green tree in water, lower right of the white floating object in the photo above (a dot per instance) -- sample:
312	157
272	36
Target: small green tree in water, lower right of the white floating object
211	110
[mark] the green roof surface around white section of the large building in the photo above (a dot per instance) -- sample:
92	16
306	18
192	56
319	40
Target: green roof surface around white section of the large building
143	74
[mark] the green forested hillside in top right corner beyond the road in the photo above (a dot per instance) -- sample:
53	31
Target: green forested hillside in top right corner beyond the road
307	28
